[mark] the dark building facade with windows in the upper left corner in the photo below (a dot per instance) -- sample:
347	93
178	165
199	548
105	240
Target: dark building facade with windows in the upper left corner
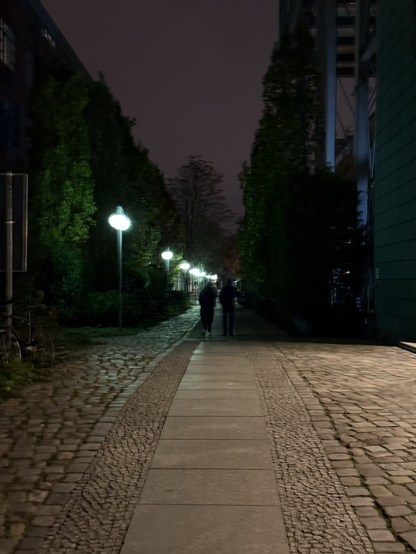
29	39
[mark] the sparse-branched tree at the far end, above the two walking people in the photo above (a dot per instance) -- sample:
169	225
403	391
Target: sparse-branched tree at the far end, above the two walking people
198	194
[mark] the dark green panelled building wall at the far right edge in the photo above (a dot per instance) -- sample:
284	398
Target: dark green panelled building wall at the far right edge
395	185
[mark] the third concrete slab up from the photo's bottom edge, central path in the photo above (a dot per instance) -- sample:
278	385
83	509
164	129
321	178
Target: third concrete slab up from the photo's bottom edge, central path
213	454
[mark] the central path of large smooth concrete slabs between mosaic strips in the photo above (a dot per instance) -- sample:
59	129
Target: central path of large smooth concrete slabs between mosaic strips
211	485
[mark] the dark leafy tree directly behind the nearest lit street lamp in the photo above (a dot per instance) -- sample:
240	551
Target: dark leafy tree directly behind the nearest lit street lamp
125	176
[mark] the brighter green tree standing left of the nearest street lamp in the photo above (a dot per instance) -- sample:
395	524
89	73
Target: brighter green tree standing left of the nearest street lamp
63	199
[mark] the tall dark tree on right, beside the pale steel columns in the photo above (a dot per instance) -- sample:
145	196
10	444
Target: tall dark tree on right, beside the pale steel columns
299	215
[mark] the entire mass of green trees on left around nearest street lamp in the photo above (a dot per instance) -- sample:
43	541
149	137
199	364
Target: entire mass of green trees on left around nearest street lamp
84	163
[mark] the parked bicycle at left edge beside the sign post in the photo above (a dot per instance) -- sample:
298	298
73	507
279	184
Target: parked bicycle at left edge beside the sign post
26	339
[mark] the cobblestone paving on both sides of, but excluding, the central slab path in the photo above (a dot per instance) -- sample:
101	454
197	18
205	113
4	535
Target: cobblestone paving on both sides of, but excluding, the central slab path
342	425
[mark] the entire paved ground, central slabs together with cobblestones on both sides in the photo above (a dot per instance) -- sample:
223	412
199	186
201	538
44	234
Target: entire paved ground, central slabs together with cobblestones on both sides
170	442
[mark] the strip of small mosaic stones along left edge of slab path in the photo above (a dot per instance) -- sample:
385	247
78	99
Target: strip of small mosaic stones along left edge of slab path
96	517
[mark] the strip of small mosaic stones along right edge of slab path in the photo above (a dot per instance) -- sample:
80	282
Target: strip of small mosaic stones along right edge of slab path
318	516
